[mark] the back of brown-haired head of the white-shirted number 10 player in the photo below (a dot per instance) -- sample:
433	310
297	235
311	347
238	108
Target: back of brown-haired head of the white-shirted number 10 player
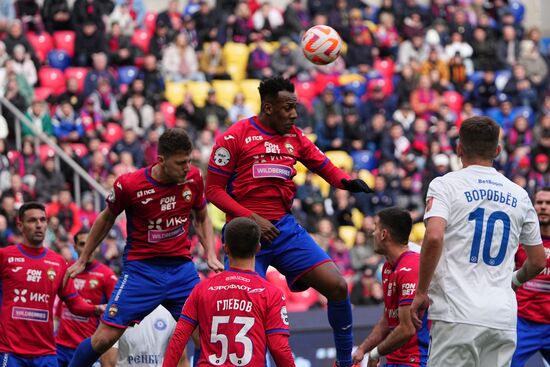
479	139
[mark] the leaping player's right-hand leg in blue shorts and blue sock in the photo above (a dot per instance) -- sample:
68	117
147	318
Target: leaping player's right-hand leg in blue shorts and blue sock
305	264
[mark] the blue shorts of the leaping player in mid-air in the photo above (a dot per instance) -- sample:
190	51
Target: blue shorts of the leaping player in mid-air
293	253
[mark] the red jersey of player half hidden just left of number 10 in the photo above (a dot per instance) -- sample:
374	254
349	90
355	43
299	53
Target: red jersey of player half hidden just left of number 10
399	281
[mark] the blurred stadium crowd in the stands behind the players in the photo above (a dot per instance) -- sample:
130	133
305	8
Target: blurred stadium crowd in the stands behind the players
105	78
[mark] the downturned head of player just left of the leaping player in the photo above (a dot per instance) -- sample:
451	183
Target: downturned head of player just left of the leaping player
174	154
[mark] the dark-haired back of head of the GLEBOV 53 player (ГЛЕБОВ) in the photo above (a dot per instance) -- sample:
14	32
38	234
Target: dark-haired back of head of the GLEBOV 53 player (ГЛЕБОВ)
242	238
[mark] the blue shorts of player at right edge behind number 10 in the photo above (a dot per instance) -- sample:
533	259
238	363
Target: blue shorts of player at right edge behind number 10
532	337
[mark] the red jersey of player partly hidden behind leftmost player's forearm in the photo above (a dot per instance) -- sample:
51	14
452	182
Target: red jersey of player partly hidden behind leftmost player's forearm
95	284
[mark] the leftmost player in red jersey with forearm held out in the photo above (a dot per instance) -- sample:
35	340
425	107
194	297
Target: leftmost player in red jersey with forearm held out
31	276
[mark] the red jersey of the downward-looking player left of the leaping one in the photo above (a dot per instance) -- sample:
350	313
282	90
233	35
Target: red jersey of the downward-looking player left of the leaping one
157	214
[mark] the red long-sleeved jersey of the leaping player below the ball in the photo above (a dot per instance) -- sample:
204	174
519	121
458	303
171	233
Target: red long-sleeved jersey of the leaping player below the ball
258	166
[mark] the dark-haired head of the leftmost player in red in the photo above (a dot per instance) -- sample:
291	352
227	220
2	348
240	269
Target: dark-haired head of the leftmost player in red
32	223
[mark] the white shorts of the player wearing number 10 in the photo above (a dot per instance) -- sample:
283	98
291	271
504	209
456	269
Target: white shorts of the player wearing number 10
464	345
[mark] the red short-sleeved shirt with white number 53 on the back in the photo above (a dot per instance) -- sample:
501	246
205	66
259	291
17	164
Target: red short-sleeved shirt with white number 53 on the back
235	311
